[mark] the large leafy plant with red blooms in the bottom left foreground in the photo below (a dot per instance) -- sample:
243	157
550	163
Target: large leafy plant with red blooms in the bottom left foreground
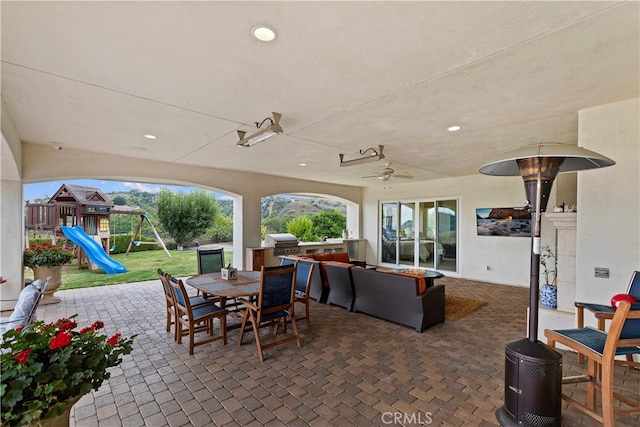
45	366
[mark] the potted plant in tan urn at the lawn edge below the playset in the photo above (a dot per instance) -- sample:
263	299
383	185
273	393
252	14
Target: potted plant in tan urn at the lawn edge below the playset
47	260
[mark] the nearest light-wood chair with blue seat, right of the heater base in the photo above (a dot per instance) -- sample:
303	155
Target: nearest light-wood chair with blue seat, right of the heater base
601	348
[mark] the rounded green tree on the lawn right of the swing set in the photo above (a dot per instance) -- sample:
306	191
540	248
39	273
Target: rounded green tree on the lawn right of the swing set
186	216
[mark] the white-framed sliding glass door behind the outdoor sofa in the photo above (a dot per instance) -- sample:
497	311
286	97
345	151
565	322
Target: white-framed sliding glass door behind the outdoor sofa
419	234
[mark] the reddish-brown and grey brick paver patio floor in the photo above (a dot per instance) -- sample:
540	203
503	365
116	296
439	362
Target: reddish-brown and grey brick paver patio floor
353	369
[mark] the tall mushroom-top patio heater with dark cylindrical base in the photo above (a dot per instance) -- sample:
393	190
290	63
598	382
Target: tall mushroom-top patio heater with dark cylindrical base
533	370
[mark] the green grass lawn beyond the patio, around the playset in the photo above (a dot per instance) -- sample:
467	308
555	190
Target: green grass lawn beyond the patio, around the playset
141	266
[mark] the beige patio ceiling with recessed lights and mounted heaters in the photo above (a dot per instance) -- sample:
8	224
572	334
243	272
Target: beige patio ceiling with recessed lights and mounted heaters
346	76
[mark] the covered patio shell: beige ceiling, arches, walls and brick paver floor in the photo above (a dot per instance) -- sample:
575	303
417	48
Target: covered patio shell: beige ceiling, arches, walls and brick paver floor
100	90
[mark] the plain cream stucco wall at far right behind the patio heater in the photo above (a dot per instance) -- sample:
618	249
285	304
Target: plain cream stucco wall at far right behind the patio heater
609	201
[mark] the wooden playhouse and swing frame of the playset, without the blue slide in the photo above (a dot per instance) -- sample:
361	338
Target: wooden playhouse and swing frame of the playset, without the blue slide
87	207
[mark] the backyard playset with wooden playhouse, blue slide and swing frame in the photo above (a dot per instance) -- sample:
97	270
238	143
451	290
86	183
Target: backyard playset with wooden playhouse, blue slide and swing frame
82	215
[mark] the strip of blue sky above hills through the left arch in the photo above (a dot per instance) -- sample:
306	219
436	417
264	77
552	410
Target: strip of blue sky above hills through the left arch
47	189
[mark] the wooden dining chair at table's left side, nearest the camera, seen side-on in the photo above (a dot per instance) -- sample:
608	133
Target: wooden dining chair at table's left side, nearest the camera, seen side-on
196	318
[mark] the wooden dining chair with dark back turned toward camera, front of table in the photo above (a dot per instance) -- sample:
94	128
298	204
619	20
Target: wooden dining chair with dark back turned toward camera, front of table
275	302
